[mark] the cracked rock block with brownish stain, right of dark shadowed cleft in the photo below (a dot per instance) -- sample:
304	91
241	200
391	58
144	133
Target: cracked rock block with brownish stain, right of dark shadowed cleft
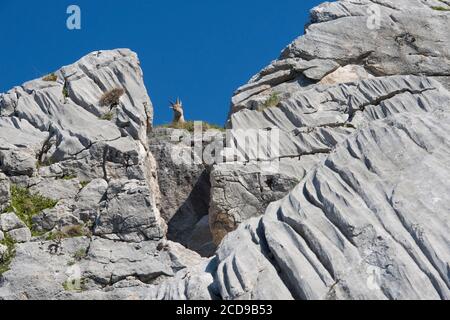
241	192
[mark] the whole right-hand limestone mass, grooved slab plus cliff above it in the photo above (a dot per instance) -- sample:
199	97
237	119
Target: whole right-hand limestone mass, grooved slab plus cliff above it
369	219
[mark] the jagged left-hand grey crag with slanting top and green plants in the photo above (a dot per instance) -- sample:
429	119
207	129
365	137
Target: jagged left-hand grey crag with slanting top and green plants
104	237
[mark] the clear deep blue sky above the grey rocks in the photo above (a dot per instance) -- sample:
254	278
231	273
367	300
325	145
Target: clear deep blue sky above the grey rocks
200	50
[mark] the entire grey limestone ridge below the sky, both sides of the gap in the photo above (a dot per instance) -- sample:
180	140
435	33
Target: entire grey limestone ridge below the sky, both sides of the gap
351	204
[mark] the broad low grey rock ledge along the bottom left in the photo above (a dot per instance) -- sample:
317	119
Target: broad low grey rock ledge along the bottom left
82	268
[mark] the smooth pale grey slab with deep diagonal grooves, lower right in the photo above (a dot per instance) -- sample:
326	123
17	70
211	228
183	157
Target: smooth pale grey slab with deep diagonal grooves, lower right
353	228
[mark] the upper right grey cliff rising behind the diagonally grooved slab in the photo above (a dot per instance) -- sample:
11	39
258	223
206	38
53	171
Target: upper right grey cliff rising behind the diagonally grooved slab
328	84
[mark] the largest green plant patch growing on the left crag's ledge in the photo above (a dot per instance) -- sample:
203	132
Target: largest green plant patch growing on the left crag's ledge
27	205
